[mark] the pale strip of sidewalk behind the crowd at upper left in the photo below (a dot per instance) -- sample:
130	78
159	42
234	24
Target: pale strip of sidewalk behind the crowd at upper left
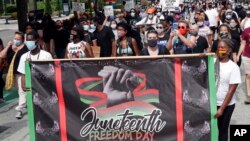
13	25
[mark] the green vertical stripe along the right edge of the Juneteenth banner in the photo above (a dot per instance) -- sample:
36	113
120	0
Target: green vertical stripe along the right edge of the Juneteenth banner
213	103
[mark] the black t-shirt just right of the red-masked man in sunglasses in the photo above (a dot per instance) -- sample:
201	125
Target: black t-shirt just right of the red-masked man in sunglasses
201	45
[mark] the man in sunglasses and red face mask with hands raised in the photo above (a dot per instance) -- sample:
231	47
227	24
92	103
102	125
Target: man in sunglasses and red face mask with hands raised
180	41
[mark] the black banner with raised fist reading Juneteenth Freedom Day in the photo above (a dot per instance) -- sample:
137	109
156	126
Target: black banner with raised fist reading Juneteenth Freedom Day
156	99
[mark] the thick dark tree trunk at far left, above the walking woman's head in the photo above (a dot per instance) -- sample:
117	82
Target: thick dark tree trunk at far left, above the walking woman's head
21	14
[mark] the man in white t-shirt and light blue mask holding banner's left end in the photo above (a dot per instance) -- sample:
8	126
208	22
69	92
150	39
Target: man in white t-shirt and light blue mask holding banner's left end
34	53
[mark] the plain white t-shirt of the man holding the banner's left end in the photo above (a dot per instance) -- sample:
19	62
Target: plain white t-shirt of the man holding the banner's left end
42	55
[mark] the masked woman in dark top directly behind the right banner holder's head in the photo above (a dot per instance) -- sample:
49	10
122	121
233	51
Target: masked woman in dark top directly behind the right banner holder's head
224	33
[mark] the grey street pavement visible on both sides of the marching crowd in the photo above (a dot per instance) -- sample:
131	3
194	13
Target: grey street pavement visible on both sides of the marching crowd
12	129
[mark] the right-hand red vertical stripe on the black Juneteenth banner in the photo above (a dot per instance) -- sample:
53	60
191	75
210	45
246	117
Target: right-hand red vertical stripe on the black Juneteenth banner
178	94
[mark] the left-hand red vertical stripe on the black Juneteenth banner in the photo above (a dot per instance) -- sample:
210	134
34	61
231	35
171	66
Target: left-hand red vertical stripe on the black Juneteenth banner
62	110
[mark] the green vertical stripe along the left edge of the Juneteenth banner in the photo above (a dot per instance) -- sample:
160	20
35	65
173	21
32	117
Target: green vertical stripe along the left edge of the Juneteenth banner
30	102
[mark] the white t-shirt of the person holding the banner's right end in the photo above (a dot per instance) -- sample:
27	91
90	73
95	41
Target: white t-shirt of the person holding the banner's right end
229	74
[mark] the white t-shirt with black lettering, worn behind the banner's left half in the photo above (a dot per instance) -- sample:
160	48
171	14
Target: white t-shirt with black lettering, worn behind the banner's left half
75	51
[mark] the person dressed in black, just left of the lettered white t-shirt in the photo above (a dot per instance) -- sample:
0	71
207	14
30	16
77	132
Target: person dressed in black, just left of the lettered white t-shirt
61	40
